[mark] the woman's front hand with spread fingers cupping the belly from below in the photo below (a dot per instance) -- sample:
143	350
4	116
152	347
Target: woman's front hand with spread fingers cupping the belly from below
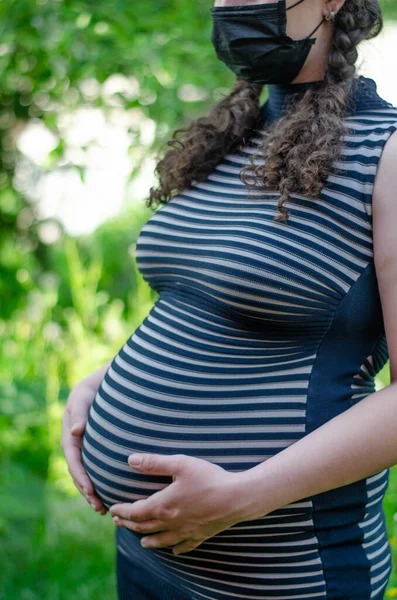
202	500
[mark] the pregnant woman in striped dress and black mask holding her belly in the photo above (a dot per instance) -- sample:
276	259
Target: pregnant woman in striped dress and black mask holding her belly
248	390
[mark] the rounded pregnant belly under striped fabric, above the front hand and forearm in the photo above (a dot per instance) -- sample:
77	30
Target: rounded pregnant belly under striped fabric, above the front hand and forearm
177	390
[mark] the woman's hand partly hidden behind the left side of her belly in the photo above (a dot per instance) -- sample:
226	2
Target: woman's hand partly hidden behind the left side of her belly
73	425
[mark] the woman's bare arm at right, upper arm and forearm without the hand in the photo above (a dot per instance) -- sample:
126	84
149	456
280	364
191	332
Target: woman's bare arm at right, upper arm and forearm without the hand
362	440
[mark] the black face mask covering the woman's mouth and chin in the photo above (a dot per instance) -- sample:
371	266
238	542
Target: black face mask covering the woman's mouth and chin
252	42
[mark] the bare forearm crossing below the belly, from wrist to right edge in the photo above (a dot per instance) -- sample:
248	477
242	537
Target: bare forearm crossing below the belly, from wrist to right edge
356	444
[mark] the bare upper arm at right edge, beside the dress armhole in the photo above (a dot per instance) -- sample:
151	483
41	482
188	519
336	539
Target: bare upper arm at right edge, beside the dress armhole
384	213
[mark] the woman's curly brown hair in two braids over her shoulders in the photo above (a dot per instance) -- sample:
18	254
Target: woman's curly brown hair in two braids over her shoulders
299	149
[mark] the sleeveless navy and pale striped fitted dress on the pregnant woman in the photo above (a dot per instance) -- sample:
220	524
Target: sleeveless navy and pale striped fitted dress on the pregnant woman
263	331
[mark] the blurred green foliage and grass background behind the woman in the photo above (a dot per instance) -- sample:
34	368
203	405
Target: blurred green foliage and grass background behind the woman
68	306
